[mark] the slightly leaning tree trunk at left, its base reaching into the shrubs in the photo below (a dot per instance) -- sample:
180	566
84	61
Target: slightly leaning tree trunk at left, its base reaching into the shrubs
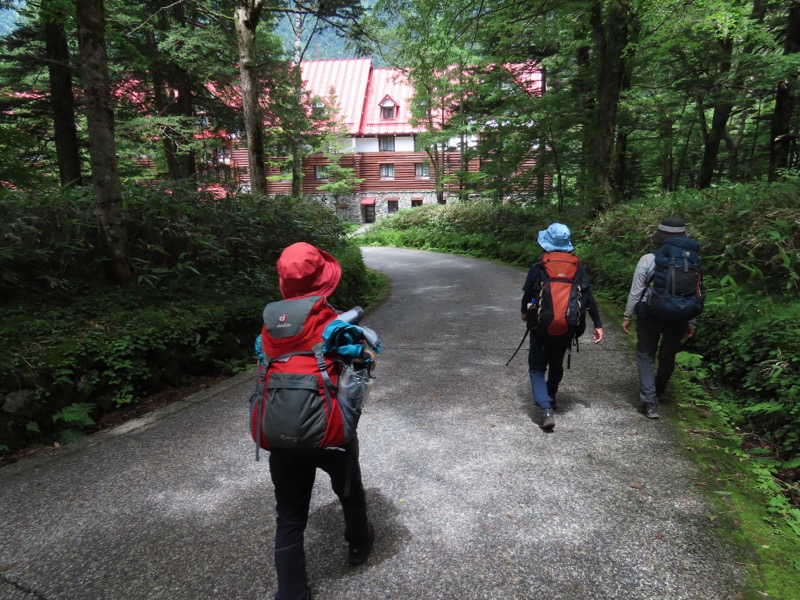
102	144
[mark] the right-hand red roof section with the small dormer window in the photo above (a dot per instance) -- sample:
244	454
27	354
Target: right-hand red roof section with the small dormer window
391	83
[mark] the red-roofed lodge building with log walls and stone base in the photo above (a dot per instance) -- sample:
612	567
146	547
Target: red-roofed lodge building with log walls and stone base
374	108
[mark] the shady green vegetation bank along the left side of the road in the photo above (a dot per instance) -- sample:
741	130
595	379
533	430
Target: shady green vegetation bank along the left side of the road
77	349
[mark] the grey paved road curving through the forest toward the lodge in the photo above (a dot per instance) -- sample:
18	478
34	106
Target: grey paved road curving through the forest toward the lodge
471	500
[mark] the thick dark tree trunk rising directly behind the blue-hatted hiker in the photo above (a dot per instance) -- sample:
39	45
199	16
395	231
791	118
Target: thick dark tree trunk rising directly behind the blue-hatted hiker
610	42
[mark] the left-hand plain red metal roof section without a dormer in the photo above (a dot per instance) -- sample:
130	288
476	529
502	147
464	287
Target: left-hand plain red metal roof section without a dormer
349	77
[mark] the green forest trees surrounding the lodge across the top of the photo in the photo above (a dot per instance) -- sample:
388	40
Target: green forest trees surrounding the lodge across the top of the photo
633	96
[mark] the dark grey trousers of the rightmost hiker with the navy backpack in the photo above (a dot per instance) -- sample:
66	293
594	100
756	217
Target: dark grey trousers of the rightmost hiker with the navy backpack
656	340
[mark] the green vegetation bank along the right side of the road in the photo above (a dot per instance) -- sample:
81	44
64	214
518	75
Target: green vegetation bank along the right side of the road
740	384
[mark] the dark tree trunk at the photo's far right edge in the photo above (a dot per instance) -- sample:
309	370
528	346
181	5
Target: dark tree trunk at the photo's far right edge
780	139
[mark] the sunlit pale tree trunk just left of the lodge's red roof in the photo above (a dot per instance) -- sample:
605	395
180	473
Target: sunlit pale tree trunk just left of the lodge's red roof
247	16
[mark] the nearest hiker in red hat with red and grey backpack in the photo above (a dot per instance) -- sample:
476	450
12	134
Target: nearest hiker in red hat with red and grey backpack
300	413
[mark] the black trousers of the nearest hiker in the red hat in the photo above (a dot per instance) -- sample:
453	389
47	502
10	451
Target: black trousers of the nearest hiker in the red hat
293	474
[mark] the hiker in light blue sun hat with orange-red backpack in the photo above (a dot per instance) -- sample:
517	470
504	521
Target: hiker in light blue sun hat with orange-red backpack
556	296
